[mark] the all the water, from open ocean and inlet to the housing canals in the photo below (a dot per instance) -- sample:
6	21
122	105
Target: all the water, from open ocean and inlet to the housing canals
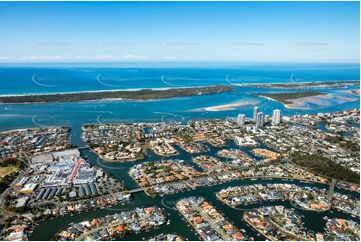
68	78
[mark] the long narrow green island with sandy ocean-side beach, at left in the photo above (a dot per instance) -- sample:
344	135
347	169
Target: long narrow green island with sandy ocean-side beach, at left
143	94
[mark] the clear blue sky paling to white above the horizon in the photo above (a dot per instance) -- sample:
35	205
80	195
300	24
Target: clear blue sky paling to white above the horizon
180	31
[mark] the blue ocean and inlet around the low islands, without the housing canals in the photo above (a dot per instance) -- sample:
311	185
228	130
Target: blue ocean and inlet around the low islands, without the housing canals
61	78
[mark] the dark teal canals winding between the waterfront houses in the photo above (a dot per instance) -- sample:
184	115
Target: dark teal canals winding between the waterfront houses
47	229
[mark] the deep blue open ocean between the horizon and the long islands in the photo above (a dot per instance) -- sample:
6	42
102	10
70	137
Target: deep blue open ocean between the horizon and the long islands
70	78
